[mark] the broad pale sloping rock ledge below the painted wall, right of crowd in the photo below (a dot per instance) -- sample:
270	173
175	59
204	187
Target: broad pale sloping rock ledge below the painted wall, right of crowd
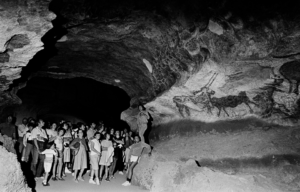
247	157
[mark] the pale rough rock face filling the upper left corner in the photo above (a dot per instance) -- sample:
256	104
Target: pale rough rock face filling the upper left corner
22	25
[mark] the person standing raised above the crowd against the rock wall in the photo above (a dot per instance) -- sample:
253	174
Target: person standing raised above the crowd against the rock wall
142	121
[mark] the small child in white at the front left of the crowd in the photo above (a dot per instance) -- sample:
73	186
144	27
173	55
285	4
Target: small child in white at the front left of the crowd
49	153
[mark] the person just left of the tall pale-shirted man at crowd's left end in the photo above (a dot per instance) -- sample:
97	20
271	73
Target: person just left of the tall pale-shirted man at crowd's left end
28	144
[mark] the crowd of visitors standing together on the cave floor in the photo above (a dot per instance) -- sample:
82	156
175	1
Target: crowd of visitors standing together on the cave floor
53	150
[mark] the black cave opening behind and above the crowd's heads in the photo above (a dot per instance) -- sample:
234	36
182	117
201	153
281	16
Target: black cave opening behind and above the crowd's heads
81	98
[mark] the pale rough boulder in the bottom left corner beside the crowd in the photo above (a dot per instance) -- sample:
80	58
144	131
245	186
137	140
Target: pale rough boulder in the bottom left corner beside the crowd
11	175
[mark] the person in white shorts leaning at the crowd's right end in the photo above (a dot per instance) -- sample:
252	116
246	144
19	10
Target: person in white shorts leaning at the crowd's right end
136	150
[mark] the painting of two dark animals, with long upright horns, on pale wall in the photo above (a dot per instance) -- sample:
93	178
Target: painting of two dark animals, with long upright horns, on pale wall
202	100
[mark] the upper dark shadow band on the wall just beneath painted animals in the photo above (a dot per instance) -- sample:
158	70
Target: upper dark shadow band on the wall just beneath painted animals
190	127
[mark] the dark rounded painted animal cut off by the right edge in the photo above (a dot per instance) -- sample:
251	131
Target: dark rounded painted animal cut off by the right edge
291	72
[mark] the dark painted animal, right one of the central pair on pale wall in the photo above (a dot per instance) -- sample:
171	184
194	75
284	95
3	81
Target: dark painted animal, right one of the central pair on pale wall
231	101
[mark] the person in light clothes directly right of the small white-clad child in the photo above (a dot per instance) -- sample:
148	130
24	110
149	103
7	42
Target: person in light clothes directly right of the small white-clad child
58	160
